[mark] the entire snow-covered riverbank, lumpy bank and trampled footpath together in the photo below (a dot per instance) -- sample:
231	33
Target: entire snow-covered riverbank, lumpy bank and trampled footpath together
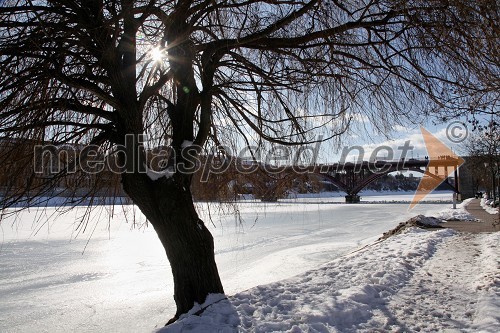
419	281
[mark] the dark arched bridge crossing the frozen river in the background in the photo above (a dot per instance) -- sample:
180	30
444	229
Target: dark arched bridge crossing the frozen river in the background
353	177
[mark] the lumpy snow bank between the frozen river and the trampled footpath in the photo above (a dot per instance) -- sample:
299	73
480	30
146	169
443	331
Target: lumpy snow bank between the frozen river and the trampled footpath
340	296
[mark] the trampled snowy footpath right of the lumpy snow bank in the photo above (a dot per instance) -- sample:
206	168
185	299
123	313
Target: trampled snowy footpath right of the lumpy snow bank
444	292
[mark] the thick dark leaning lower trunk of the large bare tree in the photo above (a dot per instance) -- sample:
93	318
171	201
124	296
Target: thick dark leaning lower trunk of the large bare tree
168	205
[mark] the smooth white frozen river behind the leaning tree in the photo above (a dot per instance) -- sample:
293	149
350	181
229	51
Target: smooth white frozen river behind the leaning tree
54	279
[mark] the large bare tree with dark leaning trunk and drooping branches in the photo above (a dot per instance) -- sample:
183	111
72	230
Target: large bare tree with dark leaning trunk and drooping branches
187	73
